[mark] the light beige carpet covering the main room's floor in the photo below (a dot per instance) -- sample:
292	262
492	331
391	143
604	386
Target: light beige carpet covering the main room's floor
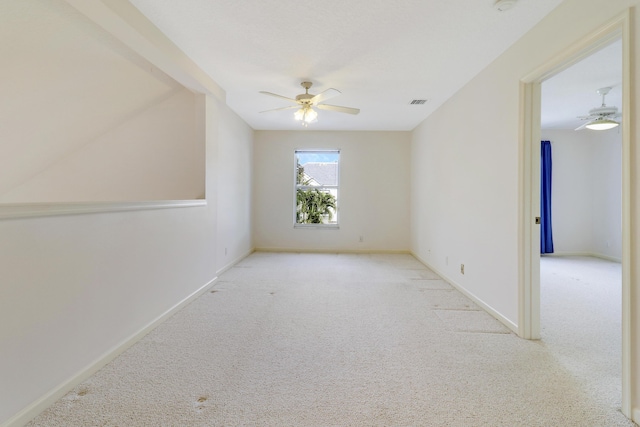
332	340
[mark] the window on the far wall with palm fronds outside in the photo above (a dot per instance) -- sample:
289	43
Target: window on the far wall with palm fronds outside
316	189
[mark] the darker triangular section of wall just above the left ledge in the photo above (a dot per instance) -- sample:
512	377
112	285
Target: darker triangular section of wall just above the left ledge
154	155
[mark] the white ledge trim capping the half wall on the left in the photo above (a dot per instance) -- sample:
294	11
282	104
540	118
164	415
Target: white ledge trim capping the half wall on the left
30	210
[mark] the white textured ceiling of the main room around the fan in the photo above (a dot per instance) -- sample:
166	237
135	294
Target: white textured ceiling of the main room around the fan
380	54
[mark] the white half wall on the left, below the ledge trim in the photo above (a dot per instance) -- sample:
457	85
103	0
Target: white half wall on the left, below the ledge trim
74	287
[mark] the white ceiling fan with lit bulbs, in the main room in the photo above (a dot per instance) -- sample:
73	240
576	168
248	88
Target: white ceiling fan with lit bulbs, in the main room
306	101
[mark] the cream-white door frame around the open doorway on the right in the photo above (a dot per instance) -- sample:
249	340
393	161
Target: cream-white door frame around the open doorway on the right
529	184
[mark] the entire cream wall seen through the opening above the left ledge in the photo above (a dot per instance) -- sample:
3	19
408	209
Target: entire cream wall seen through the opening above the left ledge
84	118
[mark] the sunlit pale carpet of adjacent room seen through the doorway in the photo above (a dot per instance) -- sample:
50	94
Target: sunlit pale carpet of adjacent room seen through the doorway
581	314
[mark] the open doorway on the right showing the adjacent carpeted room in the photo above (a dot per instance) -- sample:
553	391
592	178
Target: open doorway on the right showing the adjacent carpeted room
580	290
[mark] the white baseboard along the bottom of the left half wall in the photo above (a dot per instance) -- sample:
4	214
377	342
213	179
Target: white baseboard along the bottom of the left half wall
32	410
